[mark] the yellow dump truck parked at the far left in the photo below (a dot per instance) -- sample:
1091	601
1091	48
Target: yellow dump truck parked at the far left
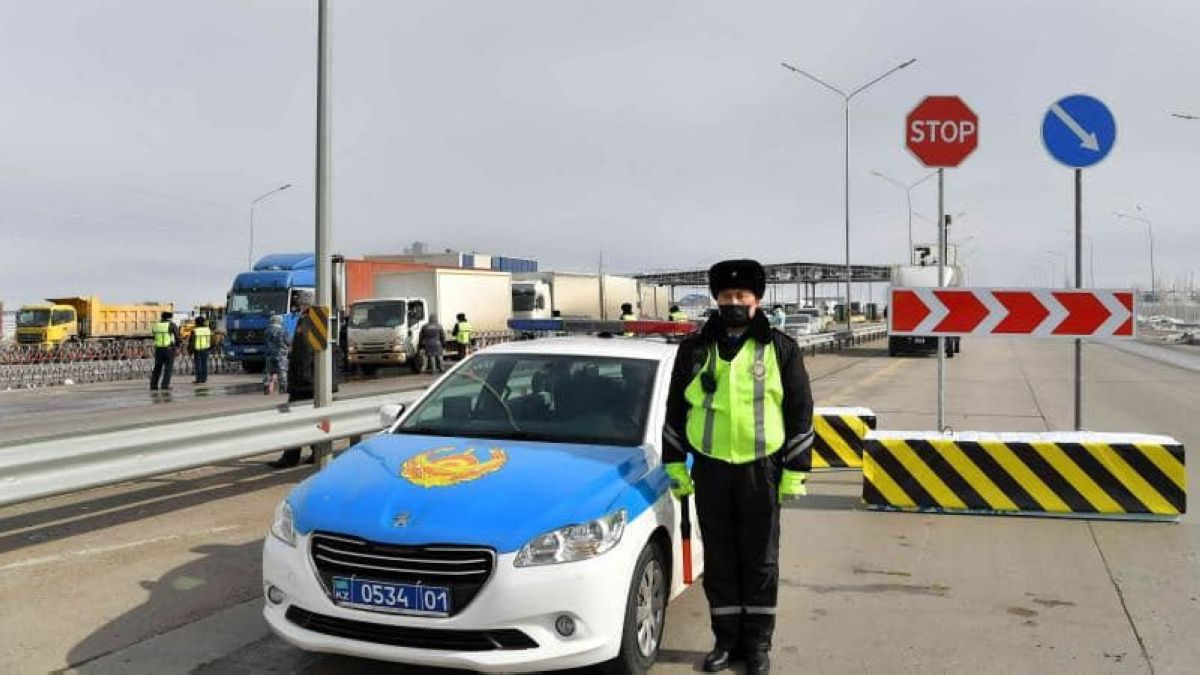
61	320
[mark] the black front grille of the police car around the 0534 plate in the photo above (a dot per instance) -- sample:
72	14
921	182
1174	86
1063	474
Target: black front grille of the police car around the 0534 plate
464	570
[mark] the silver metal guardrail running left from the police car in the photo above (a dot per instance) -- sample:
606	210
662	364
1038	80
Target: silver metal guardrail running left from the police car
44	469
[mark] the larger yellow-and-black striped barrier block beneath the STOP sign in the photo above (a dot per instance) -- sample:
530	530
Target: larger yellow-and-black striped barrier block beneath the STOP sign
1054	474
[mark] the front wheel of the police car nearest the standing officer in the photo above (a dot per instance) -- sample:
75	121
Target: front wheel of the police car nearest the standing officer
646	616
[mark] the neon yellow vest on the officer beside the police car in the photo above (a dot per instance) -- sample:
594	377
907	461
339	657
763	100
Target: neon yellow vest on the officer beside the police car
742	421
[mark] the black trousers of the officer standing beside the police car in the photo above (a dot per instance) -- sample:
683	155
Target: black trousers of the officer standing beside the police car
739	509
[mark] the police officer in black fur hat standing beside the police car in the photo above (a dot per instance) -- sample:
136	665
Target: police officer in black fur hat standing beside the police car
740	403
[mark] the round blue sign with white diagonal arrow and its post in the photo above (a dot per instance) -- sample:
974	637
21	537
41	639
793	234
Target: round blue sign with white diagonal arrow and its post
1079	132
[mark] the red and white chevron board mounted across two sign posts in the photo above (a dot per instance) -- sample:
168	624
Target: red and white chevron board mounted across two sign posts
1041	313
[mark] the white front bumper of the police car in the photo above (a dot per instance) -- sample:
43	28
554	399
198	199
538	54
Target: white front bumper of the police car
529	600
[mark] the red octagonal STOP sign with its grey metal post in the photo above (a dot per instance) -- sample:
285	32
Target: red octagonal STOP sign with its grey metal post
941	132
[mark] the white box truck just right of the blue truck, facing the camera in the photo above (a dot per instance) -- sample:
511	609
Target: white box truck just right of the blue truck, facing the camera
383	331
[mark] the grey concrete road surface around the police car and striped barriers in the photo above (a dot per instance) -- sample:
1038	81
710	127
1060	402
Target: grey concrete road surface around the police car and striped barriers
164	576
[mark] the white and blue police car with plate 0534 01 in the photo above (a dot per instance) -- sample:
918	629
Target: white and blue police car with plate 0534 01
517	518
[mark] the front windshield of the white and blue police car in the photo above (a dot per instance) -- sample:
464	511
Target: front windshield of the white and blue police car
560	399
